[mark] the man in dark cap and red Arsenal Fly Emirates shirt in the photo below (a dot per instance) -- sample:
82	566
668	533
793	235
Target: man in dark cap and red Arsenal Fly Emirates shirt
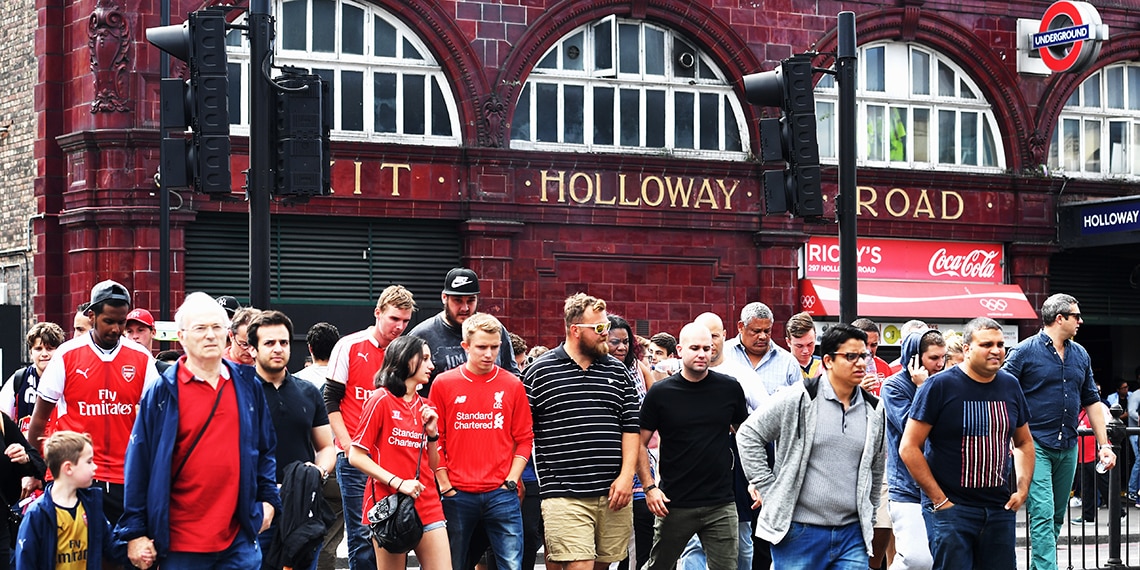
94	384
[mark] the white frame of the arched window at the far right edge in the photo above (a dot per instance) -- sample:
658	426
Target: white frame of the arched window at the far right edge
1078	109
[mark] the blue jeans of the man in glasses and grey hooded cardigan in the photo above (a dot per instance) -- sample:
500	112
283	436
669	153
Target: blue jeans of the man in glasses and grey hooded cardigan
815	548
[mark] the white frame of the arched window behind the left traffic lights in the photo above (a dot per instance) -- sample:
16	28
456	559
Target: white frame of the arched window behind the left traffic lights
369	64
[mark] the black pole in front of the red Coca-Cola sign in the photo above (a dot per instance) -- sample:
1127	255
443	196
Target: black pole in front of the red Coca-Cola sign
846	62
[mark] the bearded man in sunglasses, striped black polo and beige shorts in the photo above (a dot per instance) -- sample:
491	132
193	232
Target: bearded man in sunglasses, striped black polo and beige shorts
587	441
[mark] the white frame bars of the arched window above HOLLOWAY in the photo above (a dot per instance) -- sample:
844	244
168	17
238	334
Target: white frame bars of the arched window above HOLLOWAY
613	78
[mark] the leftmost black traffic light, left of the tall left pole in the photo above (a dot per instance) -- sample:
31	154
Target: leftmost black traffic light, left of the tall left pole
201	104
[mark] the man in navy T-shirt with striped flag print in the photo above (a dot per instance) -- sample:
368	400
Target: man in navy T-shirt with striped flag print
970	414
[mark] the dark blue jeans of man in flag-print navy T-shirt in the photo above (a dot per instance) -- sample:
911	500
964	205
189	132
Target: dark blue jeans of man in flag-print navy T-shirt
972	538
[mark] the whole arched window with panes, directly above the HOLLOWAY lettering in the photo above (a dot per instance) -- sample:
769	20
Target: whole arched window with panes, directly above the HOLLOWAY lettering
620	86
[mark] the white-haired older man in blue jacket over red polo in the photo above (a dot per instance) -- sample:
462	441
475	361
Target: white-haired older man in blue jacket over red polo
203	425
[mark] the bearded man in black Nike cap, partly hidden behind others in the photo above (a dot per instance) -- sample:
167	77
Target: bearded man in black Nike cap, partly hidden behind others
444	332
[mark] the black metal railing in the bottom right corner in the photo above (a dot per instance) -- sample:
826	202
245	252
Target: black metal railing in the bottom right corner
1110	544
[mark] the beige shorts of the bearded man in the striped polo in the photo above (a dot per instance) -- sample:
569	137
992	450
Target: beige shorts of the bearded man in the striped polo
587	530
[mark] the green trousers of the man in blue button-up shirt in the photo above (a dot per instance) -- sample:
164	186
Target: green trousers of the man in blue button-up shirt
1048	503
